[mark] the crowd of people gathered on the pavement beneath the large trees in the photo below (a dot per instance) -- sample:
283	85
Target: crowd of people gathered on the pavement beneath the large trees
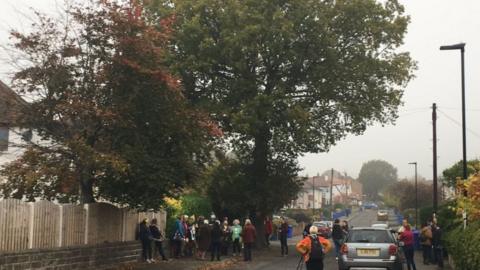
195	237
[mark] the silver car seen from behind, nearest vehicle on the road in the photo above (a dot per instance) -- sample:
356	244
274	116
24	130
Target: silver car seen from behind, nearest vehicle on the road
370	248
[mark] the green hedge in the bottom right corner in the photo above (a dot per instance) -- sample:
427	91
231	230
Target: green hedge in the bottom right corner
464	246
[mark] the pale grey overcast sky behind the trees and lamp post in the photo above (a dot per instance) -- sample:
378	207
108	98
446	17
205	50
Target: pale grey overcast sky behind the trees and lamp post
433	23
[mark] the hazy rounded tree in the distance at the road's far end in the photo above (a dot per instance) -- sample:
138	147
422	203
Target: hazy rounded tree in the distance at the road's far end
375	175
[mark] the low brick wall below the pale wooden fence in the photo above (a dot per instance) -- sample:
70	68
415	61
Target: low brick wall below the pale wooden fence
101	256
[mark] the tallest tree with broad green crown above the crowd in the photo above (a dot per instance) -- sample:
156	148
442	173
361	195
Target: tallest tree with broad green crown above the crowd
286	77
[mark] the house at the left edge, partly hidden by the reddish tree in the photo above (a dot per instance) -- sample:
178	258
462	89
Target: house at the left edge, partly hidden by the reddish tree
11	135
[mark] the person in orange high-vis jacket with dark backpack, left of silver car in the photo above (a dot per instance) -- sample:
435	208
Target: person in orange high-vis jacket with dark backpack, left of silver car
305	248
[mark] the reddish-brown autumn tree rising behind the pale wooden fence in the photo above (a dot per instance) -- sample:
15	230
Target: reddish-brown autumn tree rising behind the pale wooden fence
112	121
